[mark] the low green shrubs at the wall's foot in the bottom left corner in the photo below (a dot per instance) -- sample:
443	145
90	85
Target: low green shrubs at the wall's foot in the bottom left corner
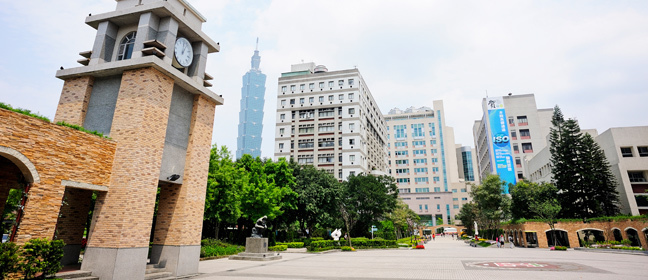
36	256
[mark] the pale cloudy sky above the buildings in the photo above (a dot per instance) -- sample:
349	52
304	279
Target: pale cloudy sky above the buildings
588	57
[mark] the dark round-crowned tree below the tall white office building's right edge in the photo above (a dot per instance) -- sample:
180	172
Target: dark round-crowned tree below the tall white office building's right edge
365	199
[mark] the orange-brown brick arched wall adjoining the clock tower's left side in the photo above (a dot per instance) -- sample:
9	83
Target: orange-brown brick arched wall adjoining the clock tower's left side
58	153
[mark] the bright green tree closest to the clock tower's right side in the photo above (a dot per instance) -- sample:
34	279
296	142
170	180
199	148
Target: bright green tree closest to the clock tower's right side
225	183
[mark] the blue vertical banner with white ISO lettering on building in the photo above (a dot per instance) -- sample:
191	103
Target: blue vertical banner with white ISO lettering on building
503	164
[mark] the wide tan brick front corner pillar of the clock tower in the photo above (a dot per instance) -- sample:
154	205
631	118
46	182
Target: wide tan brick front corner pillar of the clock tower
123	216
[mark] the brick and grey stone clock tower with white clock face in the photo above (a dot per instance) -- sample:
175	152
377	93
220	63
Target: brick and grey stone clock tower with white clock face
144	85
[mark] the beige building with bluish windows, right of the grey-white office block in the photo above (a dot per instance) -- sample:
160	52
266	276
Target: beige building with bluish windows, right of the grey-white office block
423	159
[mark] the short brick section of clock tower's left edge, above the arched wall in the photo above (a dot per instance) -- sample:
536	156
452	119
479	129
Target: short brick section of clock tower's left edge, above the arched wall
73	103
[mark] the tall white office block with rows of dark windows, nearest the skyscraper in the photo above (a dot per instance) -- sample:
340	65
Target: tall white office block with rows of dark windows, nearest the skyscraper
329	119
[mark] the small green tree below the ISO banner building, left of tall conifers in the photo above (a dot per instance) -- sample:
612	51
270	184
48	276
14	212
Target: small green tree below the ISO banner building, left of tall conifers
524	193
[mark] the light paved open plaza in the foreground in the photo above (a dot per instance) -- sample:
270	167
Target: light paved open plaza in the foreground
444	258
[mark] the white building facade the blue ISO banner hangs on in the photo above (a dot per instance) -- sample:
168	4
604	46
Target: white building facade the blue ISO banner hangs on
527	128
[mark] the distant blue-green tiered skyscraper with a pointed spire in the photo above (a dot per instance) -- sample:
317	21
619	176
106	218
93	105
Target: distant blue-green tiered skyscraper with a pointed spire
251	114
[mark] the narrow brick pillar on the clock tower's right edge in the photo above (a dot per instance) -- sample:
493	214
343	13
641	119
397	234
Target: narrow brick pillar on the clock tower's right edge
181	207
